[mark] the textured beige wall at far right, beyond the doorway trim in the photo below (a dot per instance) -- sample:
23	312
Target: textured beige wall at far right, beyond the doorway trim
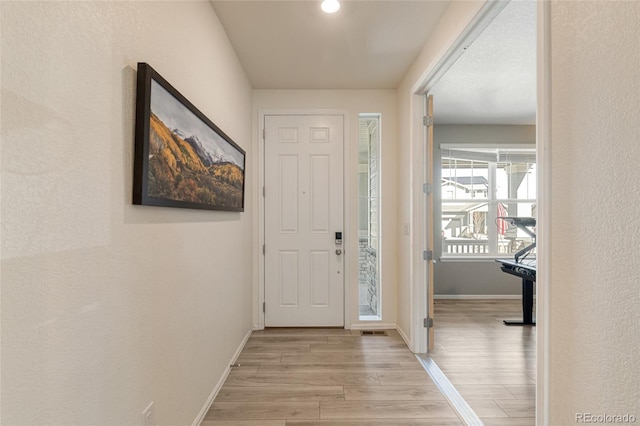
594	289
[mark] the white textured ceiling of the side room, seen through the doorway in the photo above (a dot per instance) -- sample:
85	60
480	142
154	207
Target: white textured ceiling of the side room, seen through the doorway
494	81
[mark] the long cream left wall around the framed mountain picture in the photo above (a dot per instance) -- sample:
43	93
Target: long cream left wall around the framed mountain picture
107	306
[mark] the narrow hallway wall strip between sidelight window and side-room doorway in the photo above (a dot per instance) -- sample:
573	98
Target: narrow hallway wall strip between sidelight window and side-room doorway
409	195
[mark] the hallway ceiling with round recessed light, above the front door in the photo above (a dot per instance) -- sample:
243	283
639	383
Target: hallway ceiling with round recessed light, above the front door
294	45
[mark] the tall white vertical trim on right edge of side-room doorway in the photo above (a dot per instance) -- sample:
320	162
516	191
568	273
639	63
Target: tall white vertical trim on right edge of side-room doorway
543	228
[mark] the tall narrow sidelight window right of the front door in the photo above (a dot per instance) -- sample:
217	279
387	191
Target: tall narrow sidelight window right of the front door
369	299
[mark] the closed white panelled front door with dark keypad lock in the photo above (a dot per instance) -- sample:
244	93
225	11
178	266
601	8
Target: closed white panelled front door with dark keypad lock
304	284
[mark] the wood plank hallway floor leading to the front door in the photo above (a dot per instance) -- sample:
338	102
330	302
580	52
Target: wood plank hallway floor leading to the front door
307	377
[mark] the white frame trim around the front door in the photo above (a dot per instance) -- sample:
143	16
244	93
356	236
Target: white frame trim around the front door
349	252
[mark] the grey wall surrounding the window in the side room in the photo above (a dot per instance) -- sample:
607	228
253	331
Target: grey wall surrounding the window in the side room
465	277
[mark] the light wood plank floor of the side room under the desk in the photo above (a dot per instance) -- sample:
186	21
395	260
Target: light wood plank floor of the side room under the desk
492	365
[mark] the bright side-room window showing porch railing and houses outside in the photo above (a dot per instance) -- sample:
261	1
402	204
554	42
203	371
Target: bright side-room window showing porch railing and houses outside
479	185
